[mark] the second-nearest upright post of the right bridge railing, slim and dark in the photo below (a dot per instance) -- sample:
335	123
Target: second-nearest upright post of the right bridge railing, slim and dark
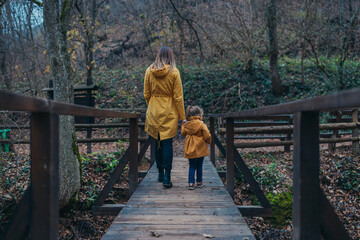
230	156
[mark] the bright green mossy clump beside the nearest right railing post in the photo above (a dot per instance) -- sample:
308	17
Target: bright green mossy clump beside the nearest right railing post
281	204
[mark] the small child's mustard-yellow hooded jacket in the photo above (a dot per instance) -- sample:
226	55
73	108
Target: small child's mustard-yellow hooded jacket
197	135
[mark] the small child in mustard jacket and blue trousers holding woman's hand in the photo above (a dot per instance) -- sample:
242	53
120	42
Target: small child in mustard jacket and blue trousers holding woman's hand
197	135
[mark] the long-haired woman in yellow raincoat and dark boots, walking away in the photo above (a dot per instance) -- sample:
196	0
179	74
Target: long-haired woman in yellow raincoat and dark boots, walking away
164	96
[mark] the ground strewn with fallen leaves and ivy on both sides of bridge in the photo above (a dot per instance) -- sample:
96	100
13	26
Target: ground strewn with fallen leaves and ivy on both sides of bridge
273	169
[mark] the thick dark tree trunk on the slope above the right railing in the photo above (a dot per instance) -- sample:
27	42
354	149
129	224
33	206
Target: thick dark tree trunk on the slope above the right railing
273	51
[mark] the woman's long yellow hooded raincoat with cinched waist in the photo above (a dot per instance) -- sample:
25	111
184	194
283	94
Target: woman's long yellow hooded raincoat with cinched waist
164	96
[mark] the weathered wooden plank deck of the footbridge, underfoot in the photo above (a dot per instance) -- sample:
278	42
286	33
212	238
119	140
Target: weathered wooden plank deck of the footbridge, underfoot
179	213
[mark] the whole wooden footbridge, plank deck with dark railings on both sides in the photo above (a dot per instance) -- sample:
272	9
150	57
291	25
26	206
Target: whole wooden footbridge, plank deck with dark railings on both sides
210	211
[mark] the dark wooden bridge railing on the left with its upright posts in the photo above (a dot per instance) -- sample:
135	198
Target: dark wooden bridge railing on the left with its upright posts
37	214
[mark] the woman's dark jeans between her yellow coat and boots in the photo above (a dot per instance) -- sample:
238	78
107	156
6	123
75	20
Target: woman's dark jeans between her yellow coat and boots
164	154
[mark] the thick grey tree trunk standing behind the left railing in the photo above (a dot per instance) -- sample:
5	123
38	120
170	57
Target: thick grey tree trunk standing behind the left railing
55	24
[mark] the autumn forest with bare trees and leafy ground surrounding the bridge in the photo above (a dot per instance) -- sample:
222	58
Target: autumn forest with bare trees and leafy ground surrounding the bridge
232	55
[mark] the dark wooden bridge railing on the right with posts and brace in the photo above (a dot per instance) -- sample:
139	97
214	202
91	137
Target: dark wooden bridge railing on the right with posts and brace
313	214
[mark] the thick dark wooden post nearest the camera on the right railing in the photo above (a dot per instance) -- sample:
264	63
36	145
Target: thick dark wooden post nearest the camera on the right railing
306	188
